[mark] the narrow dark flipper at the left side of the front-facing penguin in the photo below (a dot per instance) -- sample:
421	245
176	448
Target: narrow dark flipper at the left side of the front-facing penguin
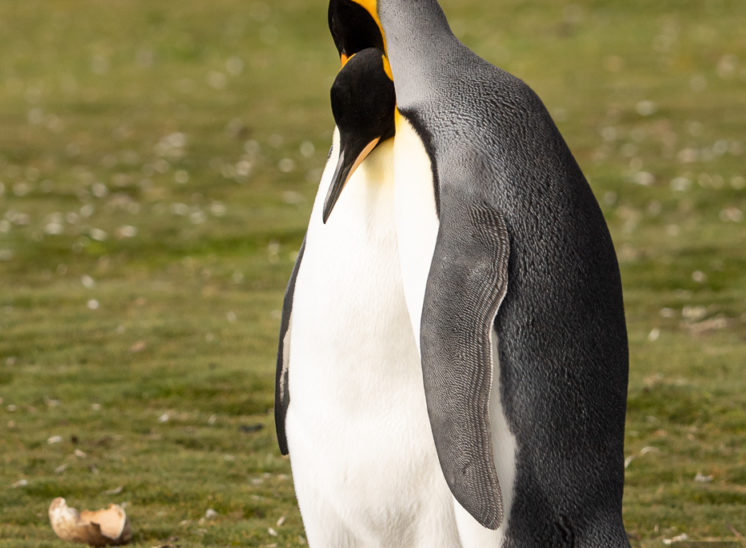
282	392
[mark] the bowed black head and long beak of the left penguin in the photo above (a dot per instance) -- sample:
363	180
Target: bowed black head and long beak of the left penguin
363	104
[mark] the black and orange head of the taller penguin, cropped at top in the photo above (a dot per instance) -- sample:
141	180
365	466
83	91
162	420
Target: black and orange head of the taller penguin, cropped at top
353	27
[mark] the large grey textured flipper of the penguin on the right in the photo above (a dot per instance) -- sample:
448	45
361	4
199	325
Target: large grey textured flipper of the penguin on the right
465	286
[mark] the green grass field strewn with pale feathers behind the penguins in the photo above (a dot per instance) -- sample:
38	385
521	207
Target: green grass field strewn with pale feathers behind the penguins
157	166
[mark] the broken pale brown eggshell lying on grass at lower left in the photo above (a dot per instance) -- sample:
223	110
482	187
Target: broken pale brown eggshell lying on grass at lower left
109	527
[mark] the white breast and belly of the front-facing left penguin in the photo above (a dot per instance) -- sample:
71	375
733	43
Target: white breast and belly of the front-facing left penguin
364	463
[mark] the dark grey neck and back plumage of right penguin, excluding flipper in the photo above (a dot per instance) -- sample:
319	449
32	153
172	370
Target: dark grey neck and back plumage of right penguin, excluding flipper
562	336
